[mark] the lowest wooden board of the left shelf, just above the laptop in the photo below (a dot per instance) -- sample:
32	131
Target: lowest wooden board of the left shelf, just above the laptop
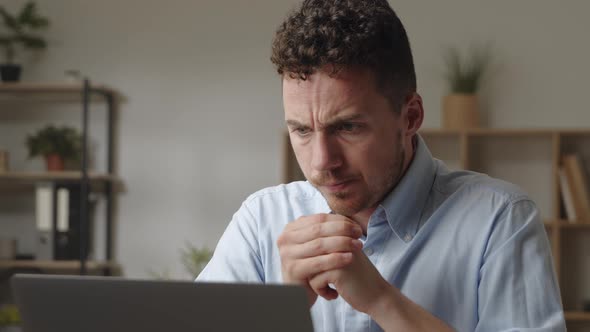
56	265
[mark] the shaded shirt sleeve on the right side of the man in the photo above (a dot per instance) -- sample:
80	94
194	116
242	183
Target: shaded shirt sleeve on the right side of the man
518	289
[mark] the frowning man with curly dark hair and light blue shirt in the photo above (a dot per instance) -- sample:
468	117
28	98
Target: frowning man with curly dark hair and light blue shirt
383	236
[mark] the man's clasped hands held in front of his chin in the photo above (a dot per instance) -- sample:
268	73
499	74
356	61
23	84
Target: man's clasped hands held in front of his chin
323	249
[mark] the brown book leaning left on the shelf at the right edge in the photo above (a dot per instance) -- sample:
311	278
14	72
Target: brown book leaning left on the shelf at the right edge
577	181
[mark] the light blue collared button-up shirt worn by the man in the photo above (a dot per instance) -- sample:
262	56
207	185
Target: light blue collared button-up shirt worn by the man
468	248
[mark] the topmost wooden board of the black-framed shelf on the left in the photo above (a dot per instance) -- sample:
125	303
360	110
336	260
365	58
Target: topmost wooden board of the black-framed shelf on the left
48	87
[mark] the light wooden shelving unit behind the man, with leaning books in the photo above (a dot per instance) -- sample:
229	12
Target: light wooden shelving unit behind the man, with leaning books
529	158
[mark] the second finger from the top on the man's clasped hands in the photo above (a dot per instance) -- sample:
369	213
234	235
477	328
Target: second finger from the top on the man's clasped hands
319	230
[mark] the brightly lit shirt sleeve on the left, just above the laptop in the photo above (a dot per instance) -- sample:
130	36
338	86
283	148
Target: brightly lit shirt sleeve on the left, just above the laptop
237	255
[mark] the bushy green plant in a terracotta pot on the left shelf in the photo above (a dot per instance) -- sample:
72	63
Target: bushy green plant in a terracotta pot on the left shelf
56	145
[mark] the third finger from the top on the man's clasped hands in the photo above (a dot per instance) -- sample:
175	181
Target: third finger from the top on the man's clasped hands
321	246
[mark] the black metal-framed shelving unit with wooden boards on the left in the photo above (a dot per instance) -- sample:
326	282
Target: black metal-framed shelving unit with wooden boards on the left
105	183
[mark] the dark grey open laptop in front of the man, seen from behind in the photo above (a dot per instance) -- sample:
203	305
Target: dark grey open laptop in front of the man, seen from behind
50	303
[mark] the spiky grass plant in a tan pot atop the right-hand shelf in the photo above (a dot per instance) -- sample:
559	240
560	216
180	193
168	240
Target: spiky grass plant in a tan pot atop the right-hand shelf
460	107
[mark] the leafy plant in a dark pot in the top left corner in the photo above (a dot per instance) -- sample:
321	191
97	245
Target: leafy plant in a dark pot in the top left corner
19	30
